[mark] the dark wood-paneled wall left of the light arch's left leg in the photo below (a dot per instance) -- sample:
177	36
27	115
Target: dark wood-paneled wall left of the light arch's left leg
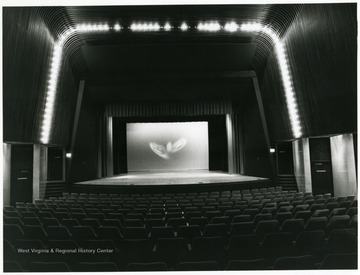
27	46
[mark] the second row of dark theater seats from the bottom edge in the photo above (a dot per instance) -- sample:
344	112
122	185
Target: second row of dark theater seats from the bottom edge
172	251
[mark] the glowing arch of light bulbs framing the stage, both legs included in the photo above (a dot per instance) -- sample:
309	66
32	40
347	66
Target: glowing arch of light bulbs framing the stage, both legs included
266	30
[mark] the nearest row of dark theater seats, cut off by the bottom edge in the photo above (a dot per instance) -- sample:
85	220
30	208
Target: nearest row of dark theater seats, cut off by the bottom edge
332	261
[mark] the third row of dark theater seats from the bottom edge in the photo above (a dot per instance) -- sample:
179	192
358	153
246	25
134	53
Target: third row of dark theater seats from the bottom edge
14	230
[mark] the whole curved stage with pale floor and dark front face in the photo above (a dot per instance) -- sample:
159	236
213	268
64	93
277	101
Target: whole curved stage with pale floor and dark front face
177	180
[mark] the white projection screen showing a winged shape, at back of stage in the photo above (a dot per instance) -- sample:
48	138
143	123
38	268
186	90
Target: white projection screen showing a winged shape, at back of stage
167	146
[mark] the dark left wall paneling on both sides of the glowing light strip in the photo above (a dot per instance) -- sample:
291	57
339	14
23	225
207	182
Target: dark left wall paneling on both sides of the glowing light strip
27	48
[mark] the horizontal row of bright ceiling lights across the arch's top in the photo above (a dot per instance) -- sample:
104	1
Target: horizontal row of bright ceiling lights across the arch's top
203	26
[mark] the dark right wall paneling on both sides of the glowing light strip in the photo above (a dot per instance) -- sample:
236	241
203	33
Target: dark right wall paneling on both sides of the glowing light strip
321	47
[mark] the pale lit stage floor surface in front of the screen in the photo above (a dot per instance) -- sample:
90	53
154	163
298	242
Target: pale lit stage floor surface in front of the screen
171	178
